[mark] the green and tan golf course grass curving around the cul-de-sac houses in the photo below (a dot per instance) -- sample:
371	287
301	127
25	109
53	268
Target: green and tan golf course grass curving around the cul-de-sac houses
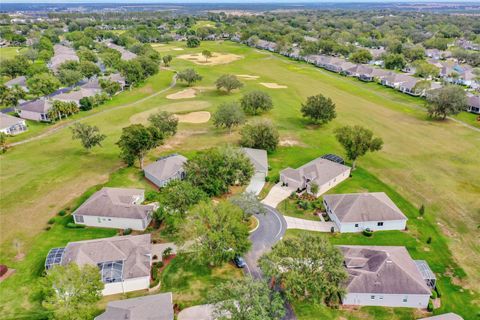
427	162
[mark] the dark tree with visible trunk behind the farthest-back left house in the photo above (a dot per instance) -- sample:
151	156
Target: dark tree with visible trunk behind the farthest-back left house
136	140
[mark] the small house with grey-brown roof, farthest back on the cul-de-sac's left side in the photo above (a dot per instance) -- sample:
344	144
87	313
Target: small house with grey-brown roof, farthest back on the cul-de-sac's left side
166	169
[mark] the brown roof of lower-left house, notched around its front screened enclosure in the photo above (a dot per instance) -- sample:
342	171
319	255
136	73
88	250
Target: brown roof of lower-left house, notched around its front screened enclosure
119	258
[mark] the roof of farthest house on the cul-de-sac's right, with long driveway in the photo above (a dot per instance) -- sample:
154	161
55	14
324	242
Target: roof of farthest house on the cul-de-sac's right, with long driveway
318	170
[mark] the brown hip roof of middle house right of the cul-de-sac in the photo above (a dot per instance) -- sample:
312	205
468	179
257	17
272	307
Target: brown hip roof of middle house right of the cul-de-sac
359	207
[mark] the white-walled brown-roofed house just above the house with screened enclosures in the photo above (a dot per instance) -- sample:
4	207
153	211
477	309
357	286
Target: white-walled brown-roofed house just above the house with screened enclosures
119	208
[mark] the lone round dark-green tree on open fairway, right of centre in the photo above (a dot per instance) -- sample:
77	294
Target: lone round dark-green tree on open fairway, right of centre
319	109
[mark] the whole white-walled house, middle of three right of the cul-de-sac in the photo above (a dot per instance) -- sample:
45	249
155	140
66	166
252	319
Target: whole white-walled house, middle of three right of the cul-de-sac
356	212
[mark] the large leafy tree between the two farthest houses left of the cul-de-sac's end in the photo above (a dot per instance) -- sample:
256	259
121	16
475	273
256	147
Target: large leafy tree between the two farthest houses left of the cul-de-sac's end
215	170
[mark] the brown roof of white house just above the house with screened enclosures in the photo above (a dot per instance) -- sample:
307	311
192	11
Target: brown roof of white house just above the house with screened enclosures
116	202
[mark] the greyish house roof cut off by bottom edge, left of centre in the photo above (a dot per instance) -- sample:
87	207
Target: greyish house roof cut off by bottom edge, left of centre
154	307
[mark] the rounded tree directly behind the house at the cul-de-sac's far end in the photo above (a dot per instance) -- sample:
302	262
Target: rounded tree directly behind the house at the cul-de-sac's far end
260	134
